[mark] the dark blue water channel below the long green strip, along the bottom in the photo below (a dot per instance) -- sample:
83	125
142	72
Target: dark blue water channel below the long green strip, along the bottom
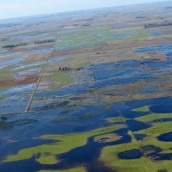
87	155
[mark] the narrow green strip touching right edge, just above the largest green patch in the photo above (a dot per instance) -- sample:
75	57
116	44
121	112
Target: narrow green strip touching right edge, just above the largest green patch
154	116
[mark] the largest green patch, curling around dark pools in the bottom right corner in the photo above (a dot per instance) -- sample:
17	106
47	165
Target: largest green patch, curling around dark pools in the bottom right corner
109	155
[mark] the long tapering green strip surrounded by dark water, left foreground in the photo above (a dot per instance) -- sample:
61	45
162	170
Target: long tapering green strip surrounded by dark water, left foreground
64	144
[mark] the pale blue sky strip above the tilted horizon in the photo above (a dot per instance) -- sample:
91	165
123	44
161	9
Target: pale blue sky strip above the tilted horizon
16	8
